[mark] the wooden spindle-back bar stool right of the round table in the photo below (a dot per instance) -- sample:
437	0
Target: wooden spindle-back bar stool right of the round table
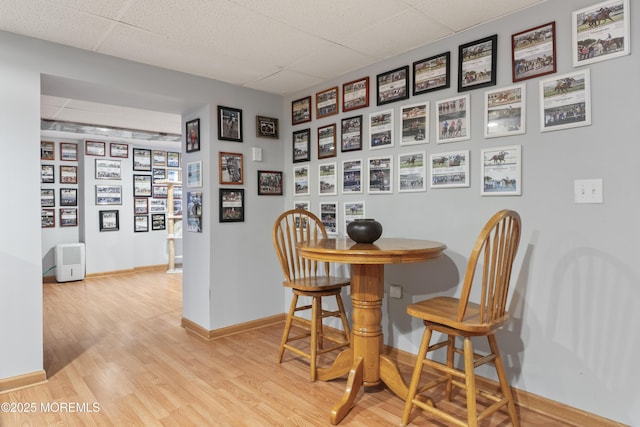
494	251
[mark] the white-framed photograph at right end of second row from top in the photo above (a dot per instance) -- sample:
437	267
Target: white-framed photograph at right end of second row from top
565	101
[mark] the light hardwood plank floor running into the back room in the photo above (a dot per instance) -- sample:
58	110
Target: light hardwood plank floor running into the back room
116	342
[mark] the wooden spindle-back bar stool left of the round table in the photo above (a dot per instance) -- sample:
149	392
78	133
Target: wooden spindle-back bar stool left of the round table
308	278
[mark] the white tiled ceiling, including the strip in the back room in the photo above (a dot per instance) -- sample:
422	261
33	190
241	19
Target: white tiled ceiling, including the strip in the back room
277	46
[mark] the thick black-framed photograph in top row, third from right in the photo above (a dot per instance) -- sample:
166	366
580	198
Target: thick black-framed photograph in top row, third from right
477	63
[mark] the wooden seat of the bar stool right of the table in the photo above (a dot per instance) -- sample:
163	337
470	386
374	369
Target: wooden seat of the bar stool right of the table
444	311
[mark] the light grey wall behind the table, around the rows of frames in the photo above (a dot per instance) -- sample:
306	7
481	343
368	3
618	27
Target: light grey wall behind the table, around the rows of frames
575	294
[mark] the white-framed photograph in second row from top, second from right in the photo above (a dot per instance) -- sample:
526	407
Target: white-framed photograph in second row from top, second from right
505	111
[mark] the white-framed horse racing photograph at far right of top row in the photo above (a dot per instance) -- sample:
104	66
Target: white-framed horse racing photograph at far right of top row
600	32
